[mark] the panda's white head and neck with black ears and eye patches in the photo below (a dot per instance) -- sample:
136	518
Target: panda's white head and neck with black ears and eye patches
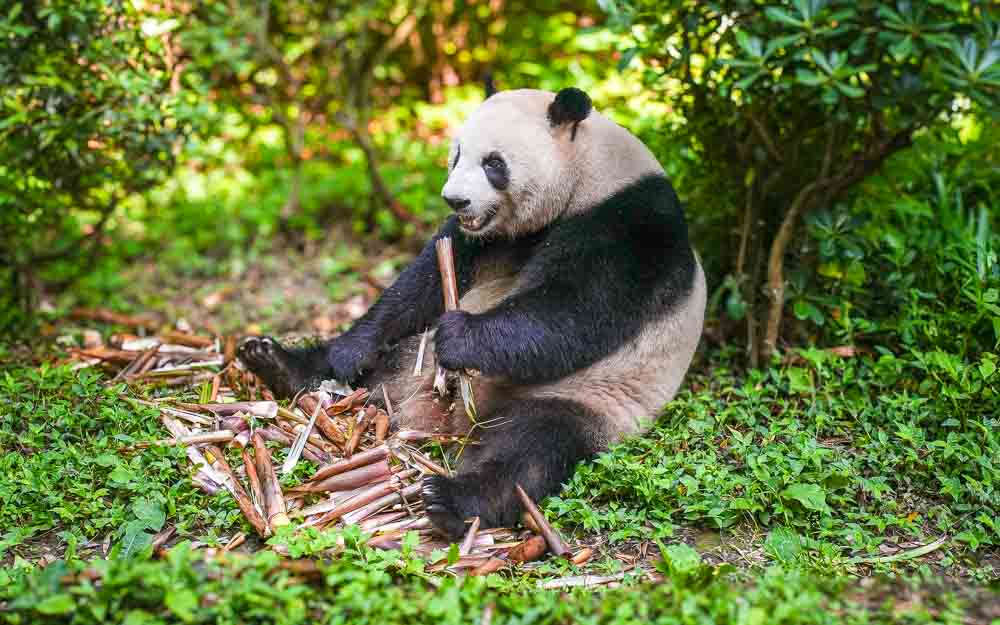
525	158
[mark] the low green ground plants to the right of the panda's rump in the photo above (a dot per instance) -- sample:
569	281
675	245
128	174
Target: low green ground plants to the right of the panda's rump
838	454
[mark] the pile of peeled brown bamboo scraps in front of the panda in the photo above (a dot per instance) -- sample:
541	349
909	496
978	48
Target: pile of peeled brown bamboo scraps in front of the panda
365	476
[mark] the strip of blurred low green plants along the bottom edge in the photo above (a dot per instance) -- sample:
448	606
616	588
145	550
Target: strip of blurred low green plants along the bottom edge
360	585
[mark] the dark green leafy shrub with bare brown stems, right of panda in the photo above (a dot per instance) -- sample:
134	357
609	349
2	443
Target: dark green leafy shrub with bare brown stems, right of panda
790	106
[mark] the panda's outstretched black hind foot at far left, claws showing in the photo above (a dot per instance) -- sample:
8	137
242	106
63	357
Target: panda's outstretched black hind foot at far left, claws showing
284	371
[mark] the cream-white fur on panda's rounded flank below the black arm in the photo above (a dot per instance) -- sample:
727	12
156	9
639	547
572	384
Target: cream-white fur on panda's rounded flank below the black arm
631	385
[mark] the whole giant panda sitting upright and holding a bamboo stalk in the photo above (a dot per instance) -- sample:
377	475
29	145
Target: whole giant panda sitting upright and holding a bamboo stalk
581	299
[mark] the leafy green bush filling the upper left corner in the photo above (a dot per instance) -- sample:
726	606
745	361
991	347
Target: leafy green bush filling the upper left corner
88	118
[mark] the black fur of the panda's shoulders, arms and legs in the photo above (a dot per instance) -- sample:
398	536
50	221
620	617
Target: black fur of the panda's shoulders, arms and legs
587	285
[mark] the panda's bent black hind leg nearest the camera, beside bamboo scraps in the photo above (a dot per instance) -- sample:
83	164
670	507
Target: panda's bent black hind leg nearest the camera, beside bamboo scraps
536	443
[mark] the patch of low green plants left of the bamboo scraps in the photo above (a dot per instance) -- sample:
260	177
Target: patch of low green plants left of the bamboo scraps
64	481
